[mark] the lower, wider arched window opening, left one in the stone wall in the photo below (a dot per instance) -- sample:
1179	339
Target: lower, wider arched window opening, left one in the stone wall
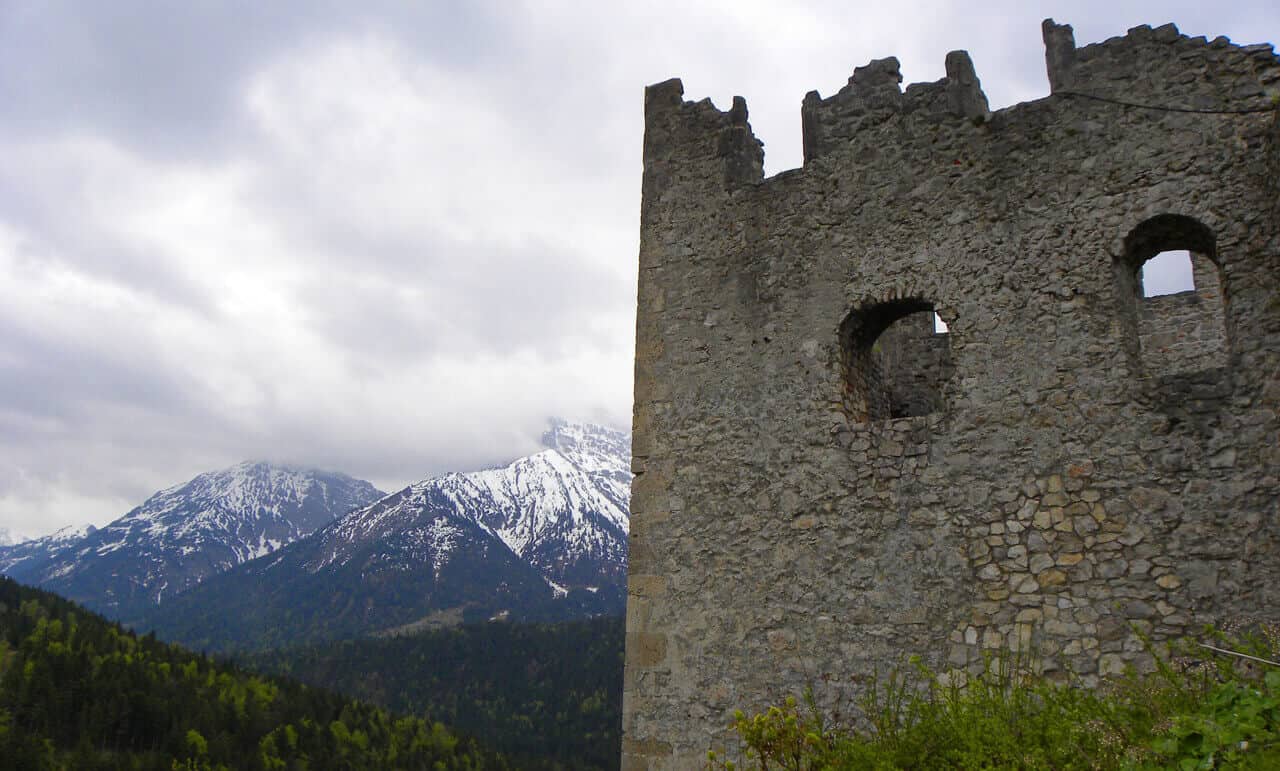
897	361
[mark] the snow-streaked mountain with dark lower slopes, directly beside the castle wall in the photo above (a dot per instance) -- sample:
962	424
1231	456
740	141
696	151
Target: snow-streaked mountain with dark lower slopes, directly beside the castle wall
543	537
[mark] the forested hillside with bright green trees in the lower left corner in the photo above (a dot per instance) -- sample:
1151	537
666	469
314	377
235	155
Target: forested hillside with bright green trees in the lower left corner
79	692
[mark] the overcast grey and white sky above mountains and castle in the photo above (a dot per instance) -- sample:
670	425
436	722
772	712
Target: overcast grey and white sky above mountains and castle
387	239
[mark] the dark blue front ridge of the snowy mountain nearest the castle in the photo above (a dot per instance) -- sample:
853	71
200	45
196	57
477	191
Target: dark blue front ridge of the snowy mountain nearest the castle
406	562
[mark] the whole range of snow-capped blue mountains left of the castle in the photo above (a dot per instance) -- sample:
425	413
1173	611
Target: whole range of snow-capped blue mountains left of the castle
260	555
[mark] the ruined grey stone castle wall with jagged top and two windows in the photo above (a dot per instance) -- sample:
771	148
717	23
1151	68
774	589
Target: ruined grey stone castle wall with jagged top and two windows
829	480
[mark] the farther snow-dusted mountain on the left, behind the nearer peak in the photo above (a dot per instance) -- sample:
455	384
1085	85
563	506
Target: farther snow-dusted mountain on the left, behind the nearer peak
184	535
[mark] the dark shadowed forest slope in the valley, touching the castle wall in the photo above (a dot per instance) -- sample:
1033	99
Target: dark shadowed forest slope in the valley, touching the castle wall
536	692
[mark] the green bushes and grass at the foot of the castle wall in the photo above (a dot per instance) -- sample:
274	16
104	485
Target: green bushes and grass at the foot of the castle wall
1197	710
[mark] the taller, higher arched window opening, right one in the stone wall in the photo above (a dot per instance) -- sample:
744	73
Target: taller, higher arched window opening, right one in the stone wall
1176	305
